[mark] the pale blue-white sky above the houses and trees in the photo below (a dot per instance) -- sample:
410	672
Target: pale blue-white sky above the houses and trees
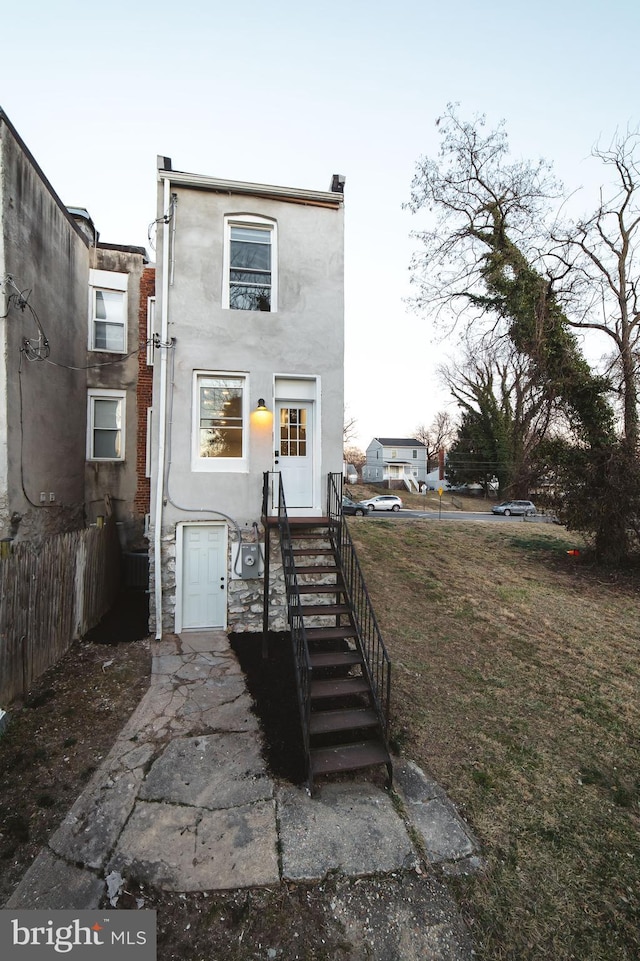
290	93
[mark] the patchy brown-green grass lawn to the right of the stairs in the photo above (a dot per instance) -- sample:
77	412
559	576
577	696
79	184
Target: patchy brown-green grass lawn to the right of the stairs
517	687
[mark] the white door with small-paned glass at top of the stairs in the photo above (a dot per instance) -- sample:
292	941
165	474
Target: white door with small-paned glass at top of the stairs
294	452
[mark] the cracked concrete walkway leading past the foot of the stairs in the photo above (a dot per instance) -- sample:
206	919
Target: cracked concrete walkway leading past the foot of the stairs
184	802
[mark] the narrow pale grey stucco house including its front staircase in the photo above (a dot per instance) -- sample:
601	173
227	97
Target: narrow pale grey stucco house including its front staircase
246	528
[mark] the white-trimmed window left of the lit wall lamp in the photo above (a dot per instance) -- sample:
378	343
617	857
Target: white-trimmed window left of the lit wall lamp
220	421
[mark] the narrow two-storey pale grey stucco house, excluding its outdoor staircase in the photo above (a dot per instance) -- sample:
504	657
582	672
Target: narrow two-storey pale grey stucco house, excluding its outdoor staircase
248	381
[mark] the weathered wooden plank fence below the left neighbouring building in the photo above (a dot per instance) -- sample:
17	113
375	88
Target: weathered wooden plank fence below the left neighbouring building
49	596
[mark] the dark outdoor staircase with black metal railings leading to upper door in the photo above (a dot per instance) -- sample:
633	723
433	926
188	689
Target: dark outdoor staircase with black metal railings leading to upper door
343	671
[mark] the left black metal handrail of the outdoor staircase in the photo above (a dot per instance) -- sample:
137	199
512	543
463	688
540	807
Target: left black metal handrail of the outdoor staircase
303	669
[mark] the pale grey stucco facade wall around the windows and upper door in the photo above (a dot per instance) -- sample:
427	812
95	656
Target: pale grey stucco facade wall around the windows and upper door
303	338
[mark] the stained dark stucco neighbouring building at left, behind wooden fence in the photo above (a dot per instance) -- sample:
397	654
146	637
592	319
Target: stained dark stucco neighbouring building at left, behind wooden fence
74	376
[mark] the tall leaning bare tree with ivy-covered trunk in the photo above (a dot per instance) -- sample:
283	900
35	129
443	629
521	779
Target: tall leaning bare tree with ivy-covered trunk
489	256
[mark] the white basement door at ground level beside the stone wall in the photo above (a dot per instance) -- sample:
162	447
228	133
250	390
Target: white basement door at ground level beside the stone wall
204	576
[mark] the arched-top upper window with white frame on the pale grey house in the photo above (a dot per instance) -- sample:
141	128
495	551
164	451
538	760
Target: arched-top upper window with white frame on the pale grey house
250	267
